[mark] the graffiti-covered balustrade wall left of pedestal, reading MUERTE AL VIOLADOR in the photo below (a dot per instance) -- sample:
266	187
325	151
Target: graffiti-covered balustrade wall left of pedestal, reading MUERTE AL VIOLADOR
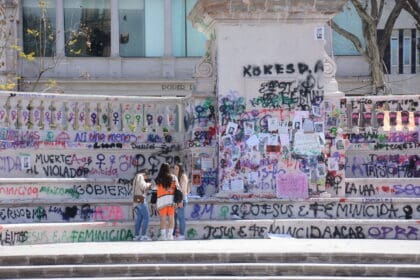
53	136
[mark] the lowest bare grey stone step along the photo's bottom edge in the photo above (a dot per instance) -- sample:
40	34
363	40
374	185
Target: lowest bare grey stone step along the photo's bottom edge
209	269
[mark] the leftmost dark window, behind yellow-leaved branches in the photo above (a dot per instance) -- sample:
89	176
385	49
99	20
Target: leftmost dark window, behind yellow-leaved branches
39	27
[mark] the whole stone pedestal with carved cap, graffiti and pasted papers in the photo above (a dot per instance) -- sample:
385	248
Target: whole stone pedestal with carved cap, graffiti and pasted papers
270	66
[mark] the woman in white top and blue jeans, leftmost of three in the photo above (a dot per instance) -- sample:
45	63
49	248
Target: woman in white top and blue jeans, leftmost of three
141	209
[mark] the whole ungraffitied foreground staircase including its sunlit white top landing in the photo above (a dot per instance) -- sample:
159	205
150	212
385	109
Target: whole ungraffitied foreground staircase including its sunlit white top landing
278	258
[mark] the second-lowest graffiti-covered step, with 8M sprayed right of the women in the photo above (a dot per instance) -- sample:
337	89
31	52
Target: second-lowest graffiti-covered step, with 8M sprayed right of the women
119	210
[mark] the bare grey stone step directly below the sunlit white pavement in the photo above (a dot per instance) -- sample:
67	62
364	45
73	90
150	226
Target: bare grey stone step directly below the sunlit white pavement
175	258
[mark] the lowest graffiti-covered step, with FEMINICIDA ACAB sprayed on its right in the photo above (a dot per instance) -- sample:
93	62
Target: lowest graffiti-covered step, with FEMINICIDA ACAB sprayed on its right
44	233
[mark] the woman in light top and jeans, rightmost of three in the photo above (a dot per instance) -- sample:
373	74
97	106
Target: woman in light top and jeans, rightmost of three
180	210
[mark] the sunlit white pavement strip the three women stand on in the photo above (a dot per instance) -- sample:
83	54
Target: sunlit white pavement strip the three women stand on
273	245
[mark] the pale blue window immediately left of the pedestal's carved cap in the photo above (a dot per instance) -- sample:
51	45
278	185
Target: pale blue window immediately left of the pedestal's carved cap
186	41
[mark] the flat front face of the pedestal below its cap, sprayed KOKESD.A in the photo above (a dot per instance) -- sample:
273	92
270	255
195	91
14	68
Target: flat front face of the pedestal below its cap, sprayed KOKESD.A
274	75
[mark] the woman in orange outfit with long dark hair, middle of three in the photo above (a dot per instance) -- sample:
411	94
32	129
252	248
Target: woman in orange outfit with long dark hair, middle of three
166	184
